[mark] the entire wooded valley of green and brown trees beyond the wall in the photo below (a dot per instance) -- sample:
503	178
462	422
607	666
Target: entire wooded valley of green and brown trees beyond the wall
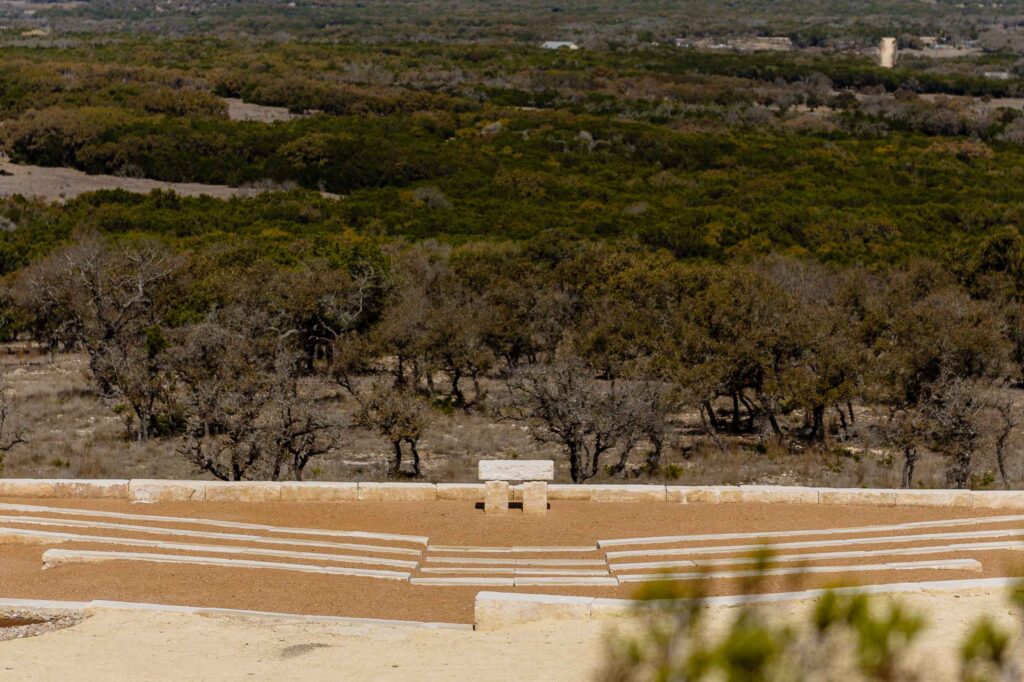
635	251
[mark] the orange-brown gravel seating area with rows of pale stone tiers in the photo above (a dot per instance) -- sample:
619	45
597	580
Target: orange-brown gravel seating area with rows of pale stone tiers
426	561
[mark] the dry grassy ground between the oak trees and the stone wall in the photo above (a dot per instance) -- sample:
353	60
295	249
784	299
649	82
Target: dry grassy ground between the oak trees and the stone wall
73	435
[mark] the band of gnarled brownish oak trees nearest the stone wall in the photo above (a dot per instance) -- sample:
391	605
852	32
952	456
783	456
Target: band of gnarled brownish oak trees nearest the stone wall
594	347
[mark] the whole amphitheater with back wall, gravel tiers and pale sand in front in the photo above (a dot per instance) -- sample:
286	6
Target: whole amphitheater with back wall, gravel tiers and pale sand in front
394	578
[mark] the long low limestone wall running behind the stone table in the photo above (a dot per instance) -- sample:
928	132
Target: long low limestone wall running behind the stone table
209	491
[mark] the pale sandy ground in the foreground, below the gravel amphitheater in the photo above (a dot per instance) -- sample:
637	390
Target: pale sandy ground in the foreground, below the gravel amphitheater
124	646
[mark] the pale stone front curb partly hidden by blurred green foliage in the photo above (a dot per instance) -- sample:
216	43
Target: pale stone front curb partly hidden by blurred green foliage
495	611
